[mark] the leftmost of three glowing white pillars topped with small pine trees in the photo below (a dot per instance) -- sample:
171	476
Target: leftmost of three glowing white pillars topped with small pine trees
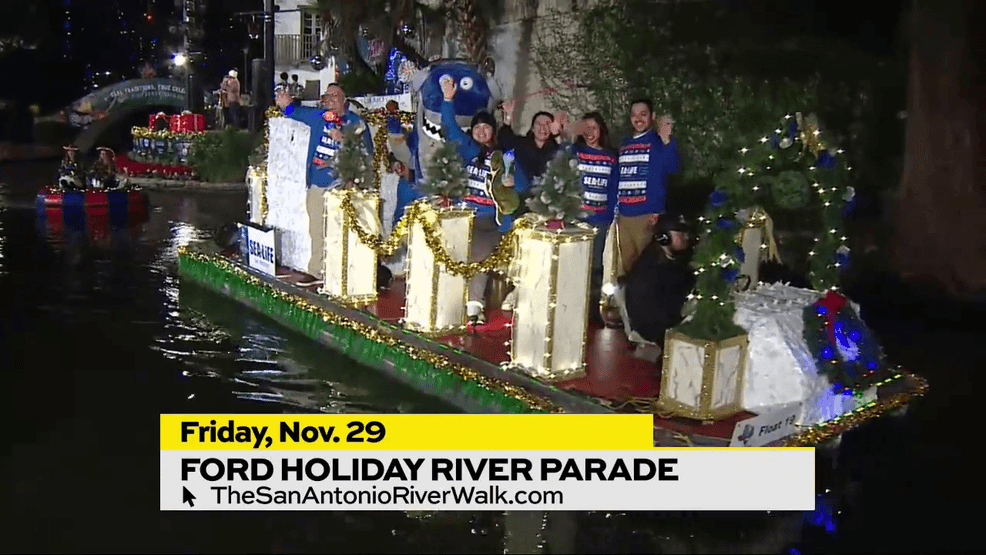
350	267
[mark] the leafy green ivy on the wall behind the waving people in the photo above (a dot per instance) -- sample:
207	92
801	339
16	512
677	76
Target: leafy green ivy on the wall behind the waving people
717	72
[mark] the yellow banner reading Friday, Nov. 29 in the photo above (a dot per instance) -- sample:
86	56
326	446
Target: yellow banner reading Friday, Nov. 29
400	432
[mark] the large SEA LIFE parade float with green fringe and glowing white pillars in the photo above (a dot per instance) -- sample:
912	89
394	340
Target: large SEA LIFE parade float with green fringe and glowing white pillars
750	365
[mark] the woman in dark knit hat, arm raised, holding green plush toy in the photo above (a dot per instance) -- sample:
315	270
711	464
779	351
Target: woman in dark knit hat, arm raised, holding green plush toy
477	150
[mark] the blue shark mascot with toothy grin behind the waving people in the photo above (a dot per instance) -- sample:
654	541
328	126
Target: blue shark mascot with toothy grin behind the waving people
476	92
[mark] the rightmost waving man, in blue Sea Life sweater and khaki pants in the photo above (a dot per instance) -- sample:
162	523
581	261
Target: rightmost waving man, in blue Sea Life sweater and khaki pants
645	160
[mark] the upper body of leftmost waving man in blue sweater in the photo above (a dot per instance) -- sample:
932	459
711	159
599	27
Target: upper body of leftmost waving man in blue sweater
326	124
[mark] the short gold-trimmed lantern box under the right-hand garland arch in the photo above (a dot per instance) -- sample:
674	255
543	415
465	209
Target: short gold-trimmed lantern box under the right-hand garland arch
703	379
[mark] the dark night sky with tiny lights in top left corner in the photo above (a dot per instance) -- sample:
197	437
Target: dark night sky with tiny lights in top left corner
84	39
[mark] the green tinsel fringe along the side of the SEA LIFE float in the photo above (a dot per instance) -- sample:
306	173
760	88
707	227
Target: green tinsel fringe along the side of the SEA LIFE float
423	374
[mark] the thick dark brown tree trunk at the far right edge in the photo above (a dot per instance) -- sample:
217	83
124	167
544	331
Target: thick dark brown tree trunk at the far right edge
938	235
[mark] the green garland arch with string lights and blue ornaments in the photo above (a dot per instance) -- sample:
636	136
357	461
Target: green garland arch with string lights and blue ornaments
794	146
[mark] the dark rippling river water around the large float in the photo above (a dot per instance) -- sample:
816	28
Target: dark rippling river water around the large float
99	338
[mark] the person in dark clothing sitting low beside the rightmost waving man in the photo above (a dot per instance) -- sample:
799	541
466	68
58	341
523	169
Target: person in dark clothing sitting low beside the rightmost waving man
654	291
